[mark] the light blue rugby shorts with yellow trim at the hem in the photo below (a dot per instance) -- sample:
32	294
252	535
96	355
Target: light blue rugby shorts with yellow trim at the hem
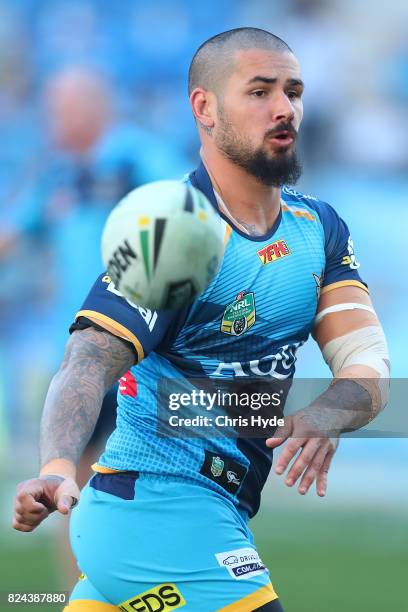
148	543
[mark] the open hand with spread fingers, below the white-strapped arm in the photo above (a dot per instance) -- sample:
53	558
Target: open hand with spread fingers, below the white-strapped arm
314	459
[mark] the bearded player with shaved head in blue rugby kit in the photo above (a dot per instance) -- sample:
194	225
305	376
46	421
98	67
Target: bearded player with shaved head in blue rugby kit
163	522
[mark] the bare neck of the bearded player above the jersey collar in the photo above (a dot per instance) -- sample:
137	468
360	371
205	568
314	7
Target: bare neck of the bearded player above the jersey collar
252	204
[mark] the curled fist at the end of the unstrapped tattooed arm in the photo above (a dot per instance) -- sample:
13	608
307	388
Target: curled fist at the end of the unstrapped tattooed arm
38	497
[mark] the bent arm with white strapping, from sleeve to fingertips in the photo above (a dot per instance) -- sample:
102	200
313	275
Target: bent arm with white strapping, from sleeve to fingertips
353	344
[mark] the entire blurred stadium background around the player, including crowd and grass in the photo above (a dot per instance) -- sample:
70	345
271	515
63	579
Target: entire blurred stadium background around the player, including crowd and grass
92	103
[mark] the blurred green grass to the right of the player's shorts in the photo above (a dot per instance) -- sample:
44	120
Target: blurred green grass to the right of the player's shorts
321	561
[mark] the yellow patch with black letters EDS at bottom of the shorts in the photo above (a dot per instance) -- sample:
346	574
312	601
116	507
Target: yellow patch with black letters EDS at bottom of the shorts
161	598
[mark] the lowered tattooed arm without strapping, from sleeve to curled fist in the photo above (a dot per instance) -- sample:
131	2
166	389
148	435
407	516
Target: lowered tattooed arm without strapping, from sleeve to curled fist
93	361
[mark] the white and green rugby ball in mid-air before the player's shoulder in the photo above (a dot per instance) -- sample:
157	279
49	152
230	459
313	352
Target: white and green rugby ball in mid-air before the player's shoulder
162	244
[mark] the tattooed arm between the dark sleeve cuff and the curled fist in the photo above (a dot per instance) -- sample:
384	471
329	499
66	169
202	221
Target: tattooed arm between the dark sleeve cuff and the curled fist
93	361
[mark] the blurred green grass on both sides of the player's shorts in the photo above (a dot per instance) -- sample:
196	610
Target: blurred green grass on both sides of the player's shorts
320	560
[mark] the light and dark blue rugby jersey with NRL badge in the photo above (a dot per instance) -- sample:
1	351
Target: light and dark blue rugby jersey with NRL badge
276	280
